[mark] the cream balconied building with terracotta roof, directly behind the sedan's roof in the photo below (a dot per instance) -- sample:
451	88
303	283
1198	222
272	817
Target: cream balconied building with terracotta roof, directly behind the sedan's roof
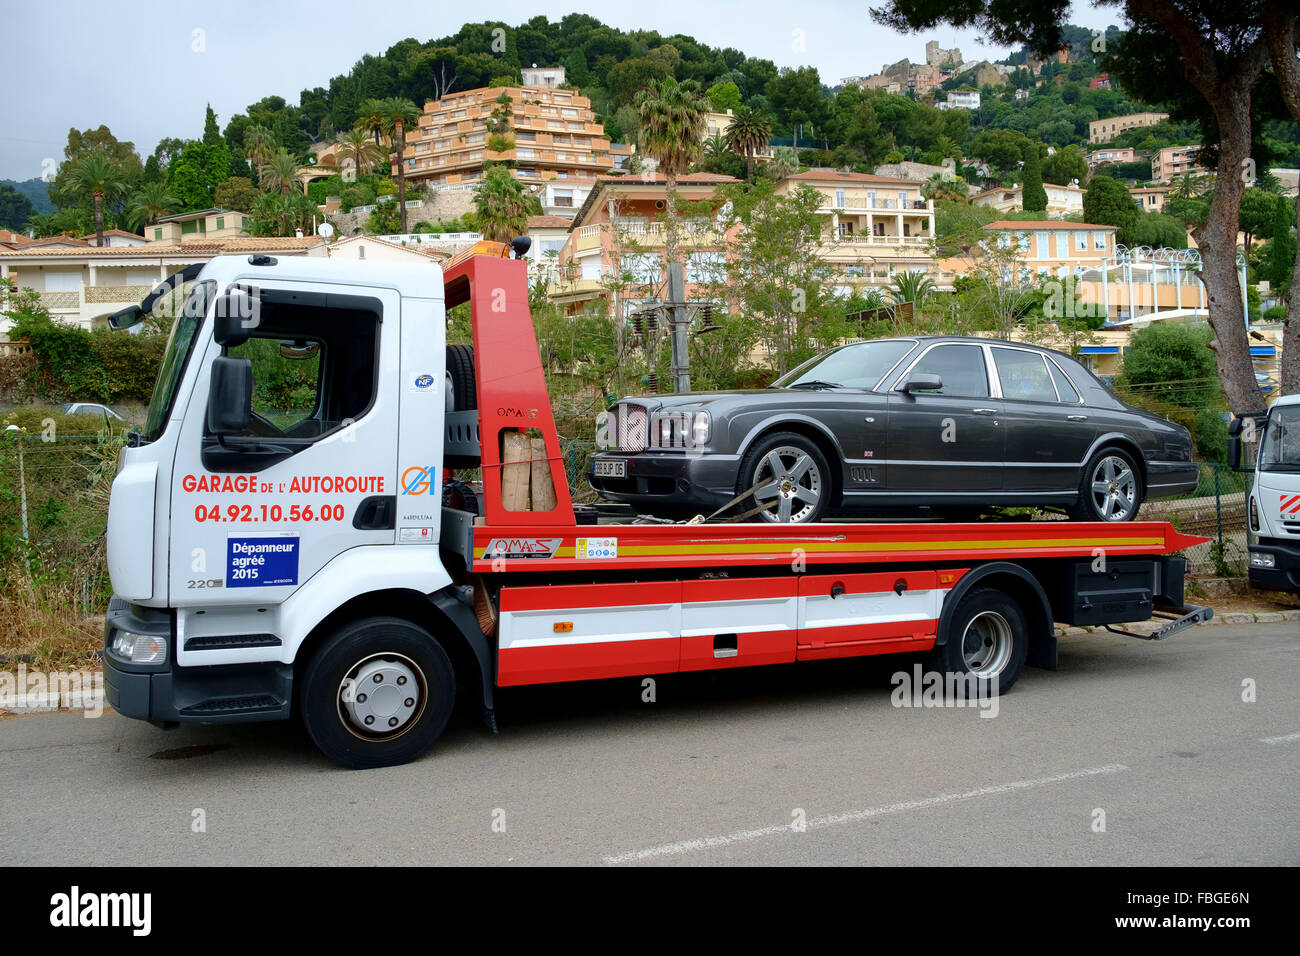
877	227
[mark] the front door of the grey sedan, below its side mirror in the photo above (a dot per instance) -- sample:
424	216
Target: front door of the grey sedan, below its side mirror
947	440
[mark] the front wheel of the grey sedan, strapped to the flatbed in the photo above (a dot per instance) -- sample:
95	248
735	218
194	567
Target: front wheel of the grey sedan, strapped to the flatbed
800	492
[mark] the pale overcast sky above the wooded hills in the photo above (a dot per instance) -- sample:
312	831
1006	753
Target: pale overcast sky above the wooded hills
148	68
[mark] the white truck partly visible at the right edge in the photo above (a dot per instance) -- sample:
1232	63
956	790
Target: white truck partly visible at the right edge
1273	509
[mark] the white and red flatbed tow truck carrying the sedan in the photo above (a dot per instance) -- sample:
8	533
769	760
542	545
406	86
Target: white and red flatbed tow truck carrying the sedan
288	538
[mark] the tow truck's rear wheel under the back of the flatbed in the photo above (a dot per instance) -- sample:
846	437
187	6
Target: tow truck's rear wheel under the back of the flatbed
989	639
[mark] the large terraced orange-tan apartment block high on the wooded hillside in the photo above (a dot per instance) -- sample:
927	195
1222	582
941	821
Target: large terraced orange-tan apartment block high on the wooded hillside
551	135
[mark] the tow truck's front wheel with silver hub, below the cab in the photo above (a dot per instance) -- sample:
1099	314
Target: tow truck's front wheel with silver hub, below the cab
378	694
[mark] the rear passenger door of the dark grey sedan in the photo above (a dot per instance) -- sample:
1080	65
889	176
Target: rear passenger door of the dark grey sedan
1047	434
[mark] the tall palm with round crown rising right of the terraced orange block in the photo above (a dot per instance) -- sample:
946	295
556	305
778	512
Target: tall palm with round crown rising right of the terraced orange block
673	118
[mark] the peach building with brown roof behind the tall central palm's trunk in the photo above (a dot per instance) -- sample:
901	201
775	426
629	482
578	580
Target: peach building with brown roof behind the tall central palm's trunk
621	231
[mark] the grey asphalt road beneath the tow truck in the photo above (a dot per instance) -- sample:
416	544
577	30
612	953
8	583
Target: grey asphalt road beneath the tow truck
720	771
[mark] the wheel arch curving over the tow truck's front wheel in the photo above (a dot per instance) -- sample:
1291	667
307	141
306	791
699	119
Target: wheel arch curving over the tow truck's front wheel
443	615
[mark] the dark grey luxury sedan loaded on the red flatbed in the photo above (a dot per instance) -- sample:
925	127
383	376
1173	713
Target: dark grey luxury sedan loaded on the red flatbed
944	422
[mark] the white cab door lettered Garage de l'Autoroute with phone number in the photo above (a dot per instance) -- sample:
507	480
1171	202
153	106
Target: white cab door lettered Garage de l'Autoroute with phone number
257	514
